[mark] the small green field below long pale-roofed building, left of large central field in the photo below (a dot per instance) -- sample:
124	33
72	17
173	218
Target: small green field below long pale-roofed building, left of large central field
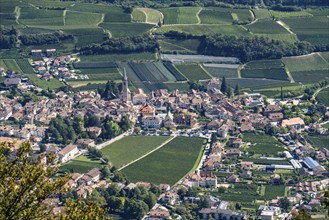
81	164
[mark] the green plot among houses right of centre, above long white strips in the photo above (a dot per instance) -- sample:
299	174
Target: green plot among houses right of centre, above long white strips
262	144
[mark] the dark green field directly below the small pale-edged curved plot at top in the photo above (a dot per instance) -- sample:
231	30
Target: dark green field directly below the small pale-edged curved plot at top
126	29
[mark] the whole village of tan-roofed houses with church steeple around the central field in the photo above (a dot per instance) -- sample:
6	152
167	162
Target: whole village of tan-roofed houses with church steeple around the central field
231	127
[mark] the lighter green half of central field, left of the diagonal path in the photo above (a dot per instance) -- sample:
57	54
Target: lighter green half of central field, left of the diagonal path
130	148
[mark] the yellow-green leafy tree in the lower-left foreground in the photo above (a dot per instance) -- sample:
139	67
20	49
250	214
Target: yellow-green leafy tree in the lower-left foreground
25	185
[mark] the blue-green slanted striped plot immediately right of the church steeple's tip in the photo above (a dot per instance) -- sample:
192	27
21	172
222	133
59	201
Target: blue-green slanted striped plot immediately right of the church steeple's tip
147	72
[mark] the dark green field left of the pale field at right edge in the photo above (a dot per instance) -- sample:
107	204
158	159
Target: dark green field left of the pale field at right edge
269	69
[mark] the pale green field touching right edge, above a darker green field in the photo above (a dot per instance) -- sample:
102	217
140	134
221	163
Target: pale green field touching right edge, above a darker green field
305	63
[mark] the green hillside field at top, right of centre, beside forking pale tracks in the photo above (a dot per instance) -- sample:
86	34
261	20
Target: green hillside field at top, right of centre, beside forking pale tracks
215	16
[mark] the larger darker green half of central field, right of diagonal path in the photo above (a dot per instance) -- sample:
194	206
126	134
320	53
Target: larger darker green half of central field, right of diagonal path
168	164
